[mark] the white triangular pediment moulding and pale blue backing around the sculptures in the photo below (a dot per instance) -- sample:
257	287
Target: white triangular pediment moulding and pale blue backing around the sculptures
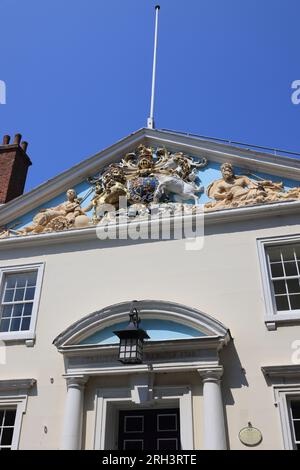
274	176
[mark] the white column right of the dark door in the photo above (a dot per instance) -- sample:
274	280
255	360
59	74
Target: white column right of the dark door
214	425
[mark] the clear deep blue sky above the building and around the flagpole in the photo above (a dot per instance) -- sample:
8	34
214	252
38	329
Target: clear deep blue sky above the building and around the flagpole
78	73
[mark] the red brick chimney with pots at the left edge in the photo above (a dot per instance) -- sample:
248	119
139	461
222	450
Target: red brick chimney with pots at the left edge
14	163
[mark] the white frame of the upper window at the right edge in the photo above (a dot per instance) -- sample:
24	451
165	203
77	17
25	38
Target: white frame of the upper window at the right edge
272	317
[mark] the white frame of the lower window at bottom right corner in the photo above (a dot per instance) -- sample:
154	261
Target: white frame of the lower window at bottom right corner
283	396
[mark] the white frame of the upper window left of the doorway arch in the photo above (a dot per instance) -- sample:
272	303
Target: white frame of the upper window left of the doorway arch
29	335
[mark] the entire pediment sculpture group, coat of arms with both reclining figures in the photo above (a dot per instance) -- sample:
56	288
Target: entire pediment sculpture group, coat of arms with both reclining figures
153	181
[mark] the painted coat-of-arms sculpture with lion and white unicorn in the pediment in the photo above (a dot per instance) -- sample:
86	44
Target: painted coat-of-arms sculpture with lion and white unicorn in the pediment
146	178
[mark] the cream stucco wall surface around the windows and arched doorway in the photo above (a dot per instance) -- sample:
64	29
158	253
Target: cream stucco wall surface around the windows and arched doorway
222	279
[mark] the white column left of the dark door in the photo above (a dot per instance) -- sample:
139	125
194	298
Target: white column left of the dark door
72	431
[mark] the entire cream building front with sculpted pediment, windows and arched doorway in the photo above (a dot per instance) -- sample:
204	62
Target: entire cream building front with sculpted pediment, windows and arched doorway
205	236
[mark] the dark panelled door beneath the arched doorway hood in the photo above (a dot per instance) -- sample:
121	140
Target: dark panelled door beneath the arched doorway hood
149	430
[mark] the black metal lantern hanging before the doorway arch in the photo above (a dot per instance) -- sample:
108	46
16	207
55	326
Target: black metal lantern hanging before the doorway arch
132	338
